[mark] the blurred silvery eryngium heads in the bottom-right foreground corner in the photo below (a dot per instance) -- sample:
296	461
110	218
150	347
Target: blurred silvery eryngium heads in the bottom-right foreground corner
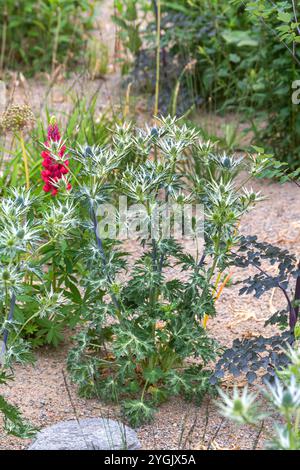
284	398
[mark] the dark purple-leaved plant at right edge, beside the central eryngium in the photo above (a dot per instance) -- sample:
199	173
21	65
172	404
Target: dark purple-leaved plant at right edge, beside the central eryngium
273	268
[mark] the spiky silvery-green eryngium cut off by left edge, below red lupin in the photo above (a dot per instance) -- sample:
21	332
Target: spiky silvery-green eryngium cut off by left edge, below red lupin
32	293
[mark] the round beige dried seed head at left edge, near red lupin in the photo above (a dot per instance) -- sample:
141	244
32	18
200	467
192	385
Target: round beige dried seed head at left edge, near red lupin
16	118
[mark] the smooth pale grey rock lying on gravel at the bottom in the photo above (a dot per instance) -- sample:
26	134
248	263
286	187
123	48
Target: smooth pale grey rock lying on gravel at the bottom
91	434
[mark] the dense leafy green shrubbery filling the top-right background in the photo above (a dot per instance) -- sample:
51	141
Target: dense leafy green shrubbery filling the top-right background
228	57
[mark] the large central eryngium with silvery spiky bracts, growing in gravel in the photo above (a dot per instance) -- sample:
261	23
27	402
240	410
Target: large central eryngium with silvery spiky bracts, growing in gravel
143	338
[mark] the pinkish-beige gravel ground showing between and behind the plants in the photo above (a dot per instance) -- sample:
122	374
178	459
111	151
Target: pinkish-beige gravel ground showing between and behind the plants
44	392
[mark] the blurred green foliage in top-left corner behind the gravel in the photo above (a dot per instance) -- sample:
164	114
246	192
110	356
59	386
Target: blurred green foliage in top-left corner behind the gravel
36	35
